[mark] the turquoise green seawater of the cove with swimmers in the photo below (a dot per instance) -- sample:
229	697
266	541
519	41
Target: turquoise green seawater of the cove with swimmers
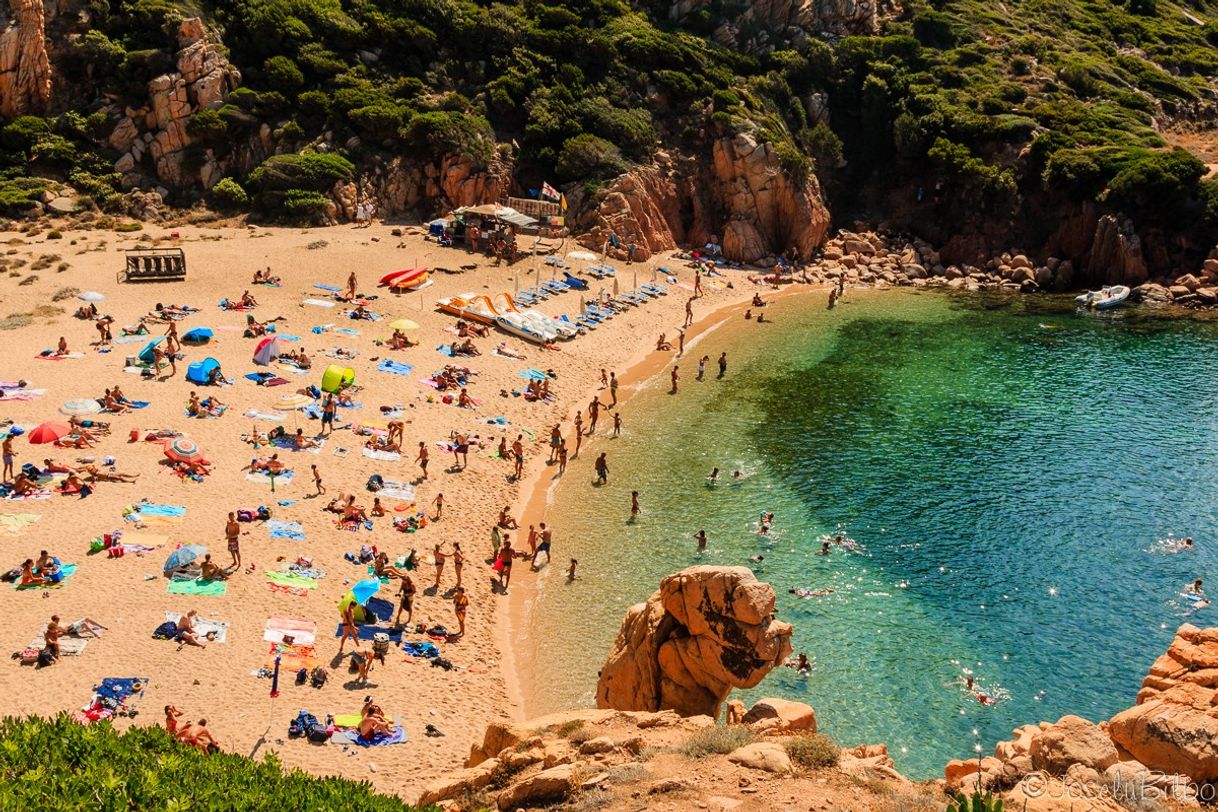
1003	467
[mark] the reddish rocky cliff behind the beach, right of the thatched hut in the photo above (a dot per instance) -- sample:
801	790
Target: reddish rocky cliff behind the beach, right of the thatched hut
744	197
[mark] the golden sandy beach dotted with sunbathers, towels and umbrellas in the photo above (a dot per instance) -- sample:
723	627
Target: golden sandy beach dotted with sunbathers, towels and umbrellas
130	595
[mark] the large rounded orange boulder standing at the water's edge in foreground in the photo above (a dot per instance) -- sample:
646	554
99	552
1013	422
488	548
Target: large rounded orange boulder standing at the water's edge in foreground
706	631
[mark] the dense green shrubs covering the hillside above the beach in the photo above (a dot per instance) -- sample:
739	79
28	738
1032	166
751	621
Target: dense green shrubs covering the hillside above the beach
998	102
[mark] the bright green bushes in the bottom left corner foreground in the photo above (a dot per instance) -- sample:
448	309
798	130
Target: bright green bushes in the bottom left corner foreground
60	765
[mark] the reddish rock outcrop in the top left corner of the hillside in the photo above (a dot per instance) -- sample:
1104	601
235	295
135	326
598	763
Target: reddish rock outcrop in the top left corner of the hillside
25	68
